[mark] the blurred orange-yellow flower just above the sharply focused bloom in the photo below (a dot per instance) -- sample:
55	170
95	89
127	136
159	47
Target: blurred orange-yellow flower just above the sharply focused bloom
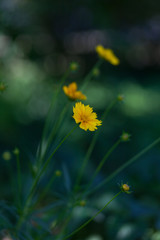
72	93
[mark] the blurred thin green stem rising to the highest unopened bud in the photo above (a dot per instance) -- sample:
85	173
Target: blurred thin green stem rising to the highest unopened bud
50	110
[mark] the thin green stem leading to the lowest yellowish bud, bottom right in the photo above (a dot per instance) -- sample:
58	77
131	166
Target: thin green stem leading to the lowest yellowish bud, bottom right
87	222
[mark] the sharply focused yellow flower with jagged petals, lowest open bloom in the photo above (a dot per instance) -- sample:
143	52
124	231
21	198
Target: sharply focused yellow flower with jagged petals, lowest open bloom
86	117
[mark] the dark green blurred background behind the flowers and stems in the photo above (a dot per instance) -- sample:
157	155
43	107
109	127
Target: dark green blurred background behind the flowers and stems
38	40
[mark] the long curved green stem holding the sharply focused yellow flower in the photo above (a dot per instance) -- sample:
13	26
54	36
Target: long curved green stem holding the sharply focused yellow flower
35	183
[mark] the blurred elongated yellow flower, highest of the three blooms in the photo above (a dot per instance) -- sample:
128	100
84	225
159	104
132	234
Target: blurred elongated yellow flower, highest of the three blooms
107	54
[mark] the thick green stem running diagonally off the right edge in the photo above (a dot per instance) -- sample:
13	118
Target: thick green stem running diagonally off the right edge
125	165
